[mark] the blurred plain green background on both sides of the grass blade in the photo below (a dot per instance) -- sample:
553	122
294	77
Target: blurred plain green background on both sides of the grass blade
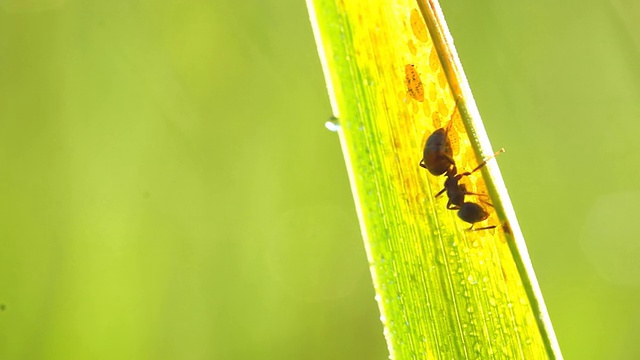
168	189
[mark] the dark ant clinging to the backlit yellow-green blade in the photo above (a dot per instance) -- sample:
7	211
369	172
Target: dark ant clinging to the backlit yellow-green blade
438	160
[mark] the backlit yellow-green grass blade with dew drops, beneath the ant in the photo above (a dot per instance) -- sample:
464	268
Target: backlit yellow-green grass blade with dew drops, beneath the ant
444	292
